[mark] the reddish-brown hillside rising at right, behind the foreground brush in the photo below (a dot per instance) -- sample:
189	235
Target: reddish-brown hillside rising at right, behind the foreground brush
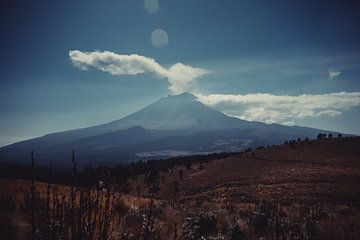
320	170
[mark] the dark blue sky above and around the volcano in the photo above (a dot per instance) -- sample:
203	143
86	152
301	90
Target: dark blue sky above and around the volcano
271	47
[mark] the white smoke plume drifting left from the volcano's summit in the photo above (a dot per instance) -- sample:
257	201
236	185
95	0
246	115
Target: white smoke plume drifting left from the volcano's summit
179	76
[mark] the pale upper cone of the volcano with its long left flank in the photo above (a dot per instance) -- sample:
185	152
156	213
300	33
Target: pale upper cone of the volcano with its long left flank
177	112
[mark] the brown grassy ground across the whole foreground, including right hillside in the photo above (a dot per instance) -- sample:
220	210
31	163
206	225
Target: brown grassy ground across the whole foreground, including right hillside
300	190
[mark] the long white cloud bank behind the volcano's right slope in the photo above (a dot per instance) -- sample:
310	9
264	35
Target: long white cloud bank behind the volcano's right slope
269	108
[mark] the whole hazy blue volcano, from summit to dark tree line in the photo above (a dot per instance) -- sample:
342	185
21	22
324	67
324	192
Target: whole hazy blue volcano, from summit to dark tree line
177	122
